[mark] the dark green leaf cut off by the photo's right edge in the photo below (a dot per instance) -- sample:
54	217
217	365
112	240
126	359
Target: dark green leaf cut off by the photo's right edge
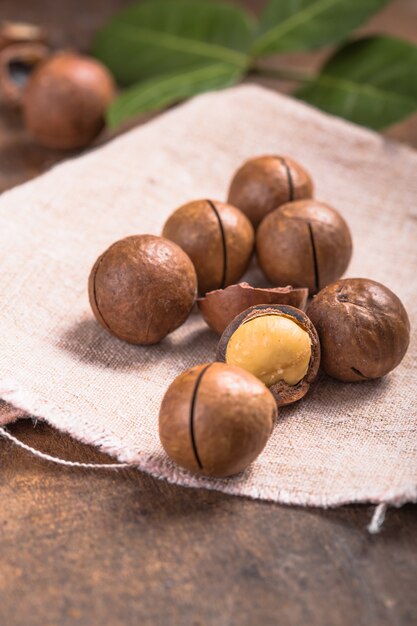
372	81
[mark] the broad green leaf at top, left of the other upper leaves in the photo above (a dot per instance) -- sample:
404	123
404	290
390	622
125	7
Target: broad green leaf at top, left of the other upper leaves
162	36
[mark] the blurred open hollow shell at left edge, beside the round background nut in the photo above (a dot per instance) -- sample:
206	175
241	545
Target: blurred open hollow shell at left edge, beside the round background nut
17	62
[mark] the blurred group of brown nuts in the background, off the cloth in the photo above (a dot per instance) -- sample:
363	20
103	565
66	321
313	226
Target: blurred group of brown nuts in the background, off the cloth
63	95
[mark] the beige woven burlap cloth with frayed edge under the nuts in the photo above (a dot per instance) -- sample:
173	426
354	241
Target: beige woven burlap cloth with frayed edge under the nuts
342	443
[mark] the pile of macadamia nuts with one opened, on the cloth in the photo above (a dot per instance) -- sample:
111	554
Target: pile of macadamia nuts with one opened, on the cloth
216	418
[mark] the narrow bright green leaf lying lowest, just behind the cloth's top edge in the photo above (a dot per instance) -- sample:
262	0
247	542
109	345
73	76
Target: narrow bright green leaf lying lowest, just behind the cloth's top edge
159	92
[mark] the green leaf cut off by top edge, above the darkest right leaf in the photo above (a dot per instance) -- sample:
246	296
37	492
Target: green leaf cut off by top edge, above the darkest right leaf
288	25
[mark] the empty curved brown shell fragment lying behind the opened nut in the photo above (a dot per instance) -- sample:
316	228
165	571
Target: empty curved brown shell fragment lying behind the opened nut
220	307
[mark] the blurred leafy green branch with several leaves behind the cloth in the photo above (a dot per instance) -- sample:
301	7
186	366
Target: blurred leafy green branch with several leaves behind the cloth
165	51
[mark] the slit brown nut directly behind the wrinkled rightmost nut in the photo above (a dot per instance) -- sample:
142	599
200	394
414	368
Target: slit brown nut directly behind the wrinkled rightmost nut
304	244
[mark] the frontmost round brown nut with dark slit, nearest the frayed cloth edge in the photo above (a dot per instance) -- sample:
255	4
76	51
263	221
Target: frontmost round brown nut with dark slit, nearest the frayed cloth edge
215	419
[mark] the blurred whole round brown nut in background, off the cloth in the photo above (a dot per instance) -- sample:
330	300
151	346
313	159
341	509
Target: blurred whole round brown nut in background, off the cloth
65	101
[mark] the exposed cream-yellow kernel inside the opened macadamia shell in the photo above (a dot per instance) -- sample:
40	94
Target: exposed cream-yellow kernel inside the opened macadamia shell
272	347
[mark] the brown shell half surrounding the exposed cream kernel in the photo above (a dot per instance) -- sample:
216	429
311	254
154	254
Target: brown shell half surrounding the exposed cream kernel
283	392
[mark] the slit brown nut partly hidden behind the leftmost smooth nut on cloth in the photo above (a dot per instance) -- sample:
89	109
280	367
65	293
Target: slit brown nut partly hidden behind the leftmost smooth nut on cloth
217	237
